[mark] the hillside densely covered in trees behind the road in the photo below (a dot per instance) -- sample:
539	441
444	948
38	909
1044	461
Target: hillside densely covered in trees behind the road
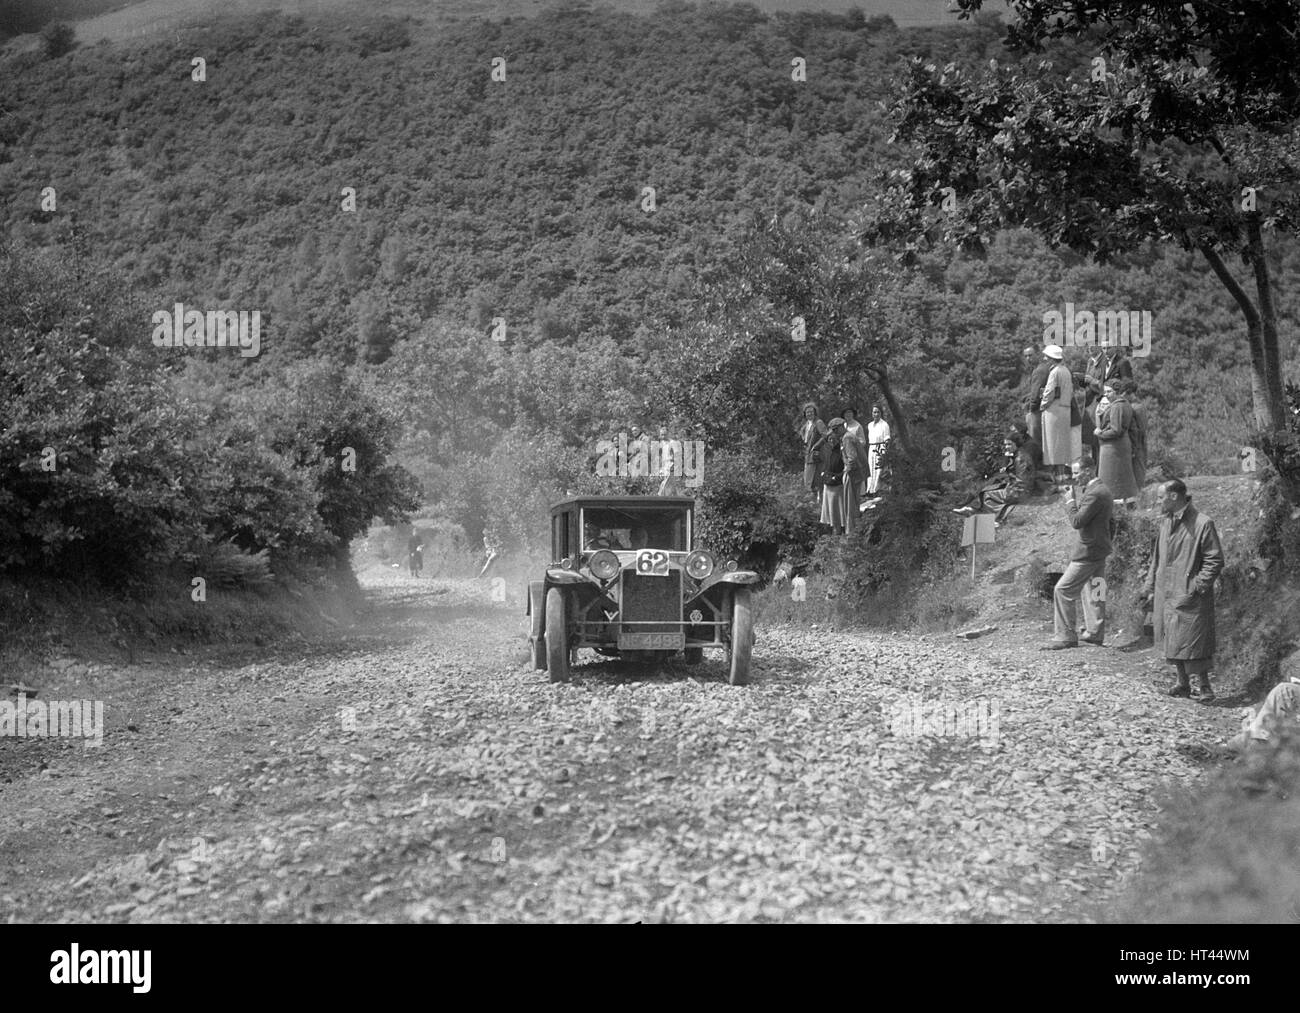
388	204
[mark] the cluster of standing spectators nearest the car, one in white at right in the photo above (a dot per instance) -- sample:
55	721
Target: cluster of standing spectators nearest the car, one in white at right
846	467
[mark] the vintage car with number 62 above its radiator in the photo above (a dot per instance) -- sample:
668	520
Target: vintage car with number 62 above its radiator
629	582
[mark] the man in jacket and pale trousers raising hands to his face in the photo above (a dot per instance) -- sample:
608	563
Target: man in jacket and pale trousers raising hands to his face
1091	518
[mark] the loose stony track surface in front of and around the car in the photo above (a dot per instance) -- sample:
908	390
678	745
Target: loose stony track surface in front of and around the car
463	787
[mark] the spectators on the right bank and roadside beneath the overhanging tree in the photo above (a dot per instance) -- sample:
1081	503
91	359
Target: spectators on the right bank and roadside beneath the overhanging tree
1086	427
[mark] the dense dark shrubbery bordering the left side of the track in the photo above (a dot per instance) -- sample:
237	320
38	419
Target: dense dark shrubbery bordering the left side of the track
111	465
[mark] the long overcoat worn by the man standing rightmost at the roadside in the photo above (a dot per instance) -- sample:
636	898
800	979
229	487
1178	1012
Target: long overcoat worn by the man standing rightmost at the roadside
1181	578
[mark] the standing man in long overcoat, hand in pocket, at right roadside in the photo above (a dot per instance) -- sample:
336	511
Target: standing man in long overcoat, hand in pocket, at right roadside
1181	587
